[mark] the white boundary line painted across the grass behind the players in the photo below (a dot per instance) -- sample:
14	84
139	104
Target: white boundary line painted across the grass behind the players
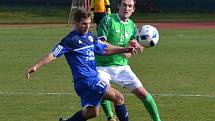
67	93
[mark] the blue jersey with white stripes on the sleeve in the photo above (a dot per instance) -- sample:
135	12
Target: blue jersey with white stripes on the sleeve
79	51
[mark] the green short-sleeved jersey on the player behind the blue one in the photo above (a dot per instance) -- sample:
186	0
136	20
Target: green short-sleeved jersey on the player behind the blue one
118	33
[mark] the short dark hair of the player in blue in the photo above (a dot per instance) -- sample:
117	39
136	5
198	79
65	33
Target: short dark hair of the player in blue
79	14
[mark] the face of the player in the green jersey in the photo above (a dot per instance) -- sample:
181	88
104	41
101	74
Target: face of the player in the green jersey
126	8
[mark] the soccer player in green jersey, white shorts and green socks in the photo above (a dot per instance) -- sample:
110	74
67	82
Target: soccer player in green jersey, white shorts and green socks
121	31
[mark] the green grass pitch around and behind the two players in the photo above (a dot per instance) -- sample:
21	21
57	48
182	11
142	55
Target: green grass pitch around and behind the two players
178	72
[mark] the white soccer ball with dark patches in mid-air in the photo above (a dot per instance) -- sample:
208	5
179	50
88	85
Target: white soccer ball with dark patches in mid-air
147	36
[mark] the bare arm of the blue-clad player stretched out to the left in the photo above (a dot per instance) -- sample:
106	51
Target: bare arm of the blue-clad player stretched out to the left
45	60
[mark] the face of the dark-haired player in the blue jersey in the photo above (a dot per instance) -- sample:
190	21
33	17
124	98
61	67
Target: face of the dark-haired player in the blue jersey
84	25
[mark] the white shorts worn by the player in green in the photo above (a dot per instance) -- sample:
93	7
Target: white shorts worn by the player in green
121	75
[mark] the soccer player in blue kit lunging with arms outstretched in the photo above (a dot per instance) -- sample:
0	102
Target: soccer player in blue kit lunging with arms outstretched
79	47
